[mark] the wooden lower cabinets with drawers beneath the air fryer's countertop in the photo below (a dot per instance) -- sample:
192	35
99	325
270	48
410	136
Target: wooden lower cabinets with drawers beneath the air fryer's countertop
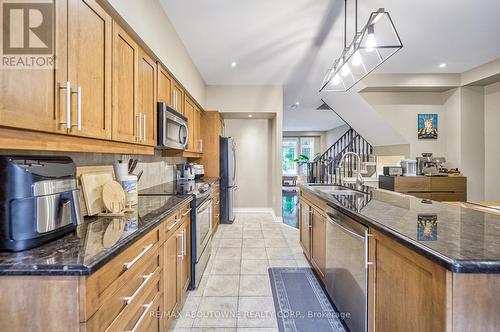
141	289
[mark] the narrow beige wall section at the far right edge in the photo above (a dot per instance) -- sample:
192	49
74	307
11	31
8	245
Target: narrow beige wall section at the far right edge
492	142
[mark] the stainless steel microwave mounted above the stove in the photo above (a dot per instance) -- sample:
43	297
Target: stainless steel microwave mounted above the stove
172	128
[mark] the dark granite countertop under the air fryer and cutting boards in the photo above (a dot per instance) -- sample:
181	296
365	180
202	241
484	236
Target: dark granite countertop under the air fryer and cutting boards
94	243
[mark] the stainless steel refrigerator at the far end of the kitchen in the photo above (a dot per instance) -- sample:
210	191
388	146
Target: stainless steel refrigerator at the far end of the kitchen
227	179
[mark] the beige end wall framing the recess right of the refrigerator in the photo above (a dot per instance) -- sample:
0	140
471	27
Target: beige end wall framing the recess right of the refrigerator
255	99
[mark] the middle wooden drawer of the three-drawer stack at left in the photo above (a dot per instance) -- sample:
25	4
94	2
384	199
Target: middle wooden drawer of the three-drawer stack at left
126	295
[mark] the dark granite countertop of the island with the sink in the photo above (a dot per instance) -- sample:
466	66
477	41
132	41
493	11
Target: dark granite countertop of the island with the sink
461	239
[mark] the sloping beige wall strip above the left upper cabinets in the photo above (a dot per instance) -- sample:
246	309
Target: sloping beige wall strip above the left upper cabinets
149	21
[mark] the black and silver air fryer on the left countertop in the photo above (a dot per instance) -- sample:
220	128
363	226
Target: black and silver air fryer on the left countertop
39	200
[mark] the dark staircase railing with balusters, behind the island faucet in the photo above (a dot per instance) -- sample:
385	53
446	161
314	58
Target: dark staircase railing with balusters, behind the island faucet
324	168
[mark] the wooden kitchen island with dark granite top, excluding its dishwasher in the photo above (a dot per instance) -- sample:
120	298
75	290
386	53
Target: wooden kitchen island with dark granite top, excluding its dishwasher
430	266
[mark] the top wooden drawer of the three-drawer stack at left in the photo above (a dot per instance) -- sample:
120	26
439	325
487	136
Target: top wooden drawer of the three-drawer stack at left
100	286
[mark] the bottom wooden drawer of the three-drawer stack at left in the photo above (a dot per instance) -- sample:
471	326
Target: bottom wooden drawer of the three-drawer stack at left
136	316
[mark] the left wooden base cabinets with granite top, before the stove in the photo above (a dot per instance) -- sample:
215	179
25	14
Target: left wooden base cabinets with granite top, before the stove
112	273
